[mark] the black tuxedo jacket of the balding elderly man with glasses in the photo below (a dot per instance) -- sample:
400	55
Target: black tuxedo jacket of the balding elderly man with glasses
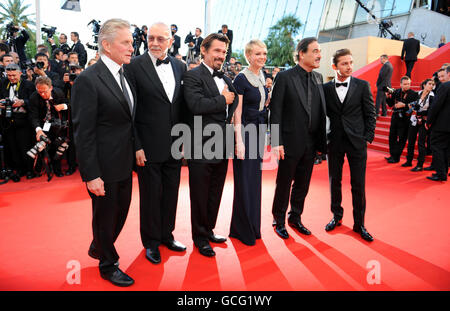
155	113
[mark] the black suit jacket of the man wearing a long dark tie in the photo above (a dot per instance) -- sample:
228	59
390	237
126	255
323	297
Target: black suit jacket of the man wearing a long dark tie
103	125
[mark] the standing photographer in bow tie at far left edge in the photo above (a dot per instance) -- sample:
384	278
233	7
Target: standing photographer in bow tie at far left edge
16	127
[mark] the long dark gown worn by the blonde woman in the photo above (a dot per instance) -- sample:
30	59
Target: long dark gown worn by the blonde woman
246	218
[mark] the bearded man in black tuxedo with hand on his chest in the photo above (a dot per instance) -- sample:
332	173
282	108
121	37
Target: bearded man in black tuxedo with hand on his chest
211	100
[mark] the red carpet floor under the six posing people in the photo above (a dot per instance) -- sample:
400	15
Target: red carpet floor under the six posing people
46	227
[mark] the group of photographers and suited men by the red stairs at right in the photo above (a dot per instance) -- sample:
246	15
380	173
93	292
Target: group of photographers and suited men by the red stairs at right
412	114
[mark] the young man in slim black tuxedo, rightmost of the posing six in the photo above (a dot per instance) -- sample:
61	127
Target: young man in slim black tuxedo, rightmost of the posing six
351	110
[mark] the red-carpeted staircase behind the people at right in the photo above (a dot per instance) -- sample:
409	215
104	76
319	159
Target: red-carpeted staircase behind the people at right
423	69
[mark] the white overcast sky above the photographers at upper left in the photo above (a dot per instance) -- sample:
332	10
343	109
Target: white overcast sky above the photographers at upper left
186	14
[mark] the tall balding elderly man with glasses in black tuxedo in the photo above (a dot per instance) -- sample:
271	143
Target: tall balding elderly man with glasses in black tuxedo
160	103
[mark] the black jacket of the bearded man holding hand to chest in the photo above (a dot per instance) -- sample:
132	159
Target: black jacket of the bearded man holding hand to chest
204	100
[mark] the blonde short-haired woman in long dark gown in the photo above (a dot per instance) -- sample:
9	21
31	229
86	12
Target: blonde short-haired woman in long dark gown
250	114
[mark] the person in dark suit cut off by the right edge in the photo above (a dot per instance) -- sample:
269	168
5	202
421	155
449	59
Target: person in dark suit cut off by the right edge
439	121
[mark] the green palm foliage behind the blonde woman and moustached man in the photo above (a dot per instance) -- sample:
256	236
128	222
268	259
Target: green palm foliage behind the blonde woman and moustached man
280	41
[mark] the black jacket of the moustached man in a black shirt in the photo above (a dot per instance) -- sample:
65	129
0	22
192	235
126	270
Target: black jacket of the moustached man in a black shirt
288	109
